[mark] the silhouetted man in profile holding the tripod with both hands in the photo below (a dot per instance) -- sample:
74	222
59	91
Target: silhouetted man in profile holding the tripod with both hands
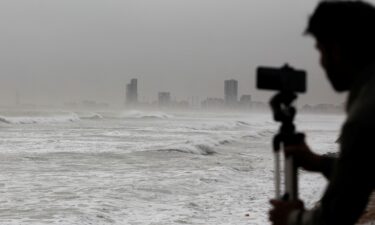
345	38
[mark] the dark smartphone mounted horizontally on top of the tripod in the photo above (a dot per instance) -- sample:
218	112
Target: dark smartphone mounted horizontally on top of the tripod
284	79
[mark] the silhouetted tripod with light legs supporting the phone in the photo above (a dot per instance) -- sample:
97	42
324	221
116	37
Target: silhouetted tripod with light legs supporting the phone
284	112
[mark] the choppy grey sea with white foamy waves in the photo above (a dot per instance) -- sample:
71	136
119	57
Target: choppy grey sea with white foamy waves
138	167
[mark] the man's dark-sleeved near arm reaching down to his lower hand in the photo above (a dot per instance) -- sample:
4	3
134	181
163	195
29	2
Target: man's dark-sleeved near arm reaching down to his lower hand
351	183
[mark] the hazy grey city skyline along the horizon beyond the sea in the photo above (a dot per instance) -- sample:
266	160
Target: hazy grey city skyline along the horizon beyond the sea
133	98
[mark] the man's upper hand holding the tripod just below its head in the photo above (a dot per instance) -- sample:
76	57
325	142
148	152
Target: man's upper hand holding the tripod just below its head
304	157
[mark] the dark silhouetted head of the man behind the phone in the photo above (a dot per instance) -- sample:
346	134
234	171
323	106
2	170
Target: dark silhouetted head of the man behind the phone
345	35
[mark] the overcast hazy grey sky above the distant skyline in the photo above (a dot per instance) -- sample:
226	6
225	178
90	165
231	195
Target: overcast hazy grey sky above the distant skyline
71	50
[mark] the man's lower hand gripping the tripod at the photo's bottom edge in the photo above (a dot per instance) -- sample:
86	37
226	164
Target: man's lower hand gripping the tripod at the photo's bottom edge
278	215
